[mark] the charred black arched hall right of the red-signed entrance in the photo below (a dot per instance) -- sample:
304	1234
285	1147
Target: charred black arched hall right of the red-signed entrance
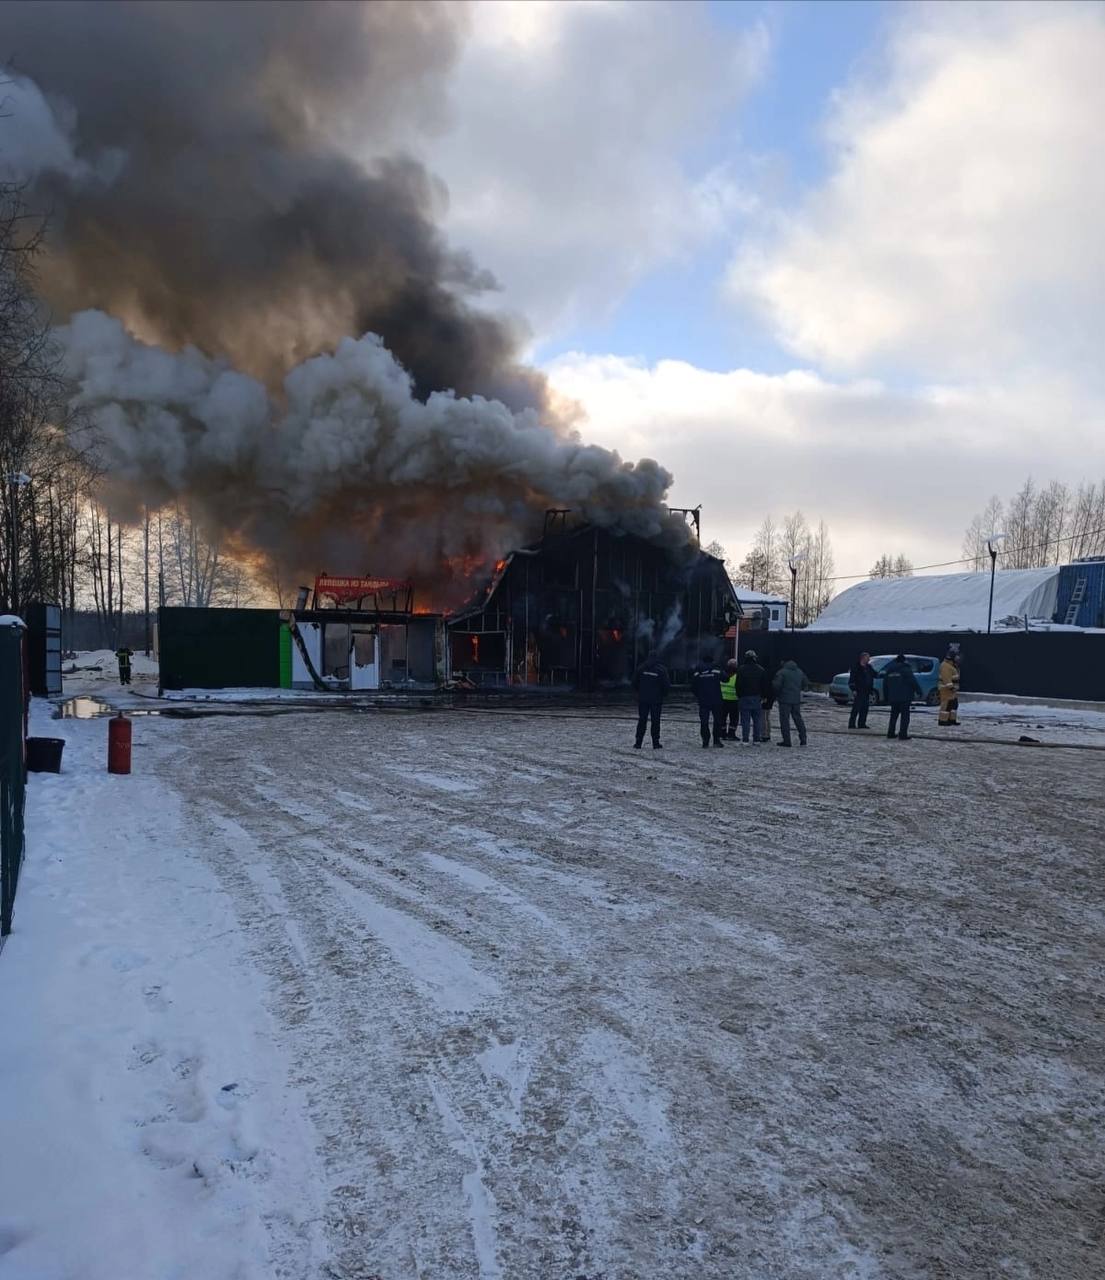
585	606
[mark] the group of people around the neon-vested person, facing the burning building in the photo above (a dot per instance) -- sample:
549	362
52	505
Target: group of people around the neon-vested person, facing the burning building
738	697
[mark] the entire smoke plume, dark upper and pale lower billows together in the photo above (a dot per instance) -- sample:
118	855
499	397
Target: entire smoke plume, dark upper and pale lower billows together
226	180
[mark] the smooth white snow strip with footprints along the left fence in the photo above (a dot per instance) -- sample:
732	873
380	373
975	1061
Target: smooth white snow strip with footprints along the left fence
147	1124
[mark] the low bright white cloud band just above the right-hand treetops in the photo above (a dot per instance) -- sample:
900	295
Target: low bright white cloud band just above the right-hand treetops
887	470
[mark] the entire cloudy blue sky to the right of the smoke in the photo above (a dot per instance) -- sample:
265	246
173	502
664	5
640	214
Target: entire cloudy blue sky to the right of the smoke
844	258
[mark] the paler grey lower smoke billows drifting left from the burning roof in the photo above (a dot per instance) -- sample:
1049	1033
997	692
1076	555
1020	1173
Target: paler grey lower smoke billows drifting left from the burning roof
348	469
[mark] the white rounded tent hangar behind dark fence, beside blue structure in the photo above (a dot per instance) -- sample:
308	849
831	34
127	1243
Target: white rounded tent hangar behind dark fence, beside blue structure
946	602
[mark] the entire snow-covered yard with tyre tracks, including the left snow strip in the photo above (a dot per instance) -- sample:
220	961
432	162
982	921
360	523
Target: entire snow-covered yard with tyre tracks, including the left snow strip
503	998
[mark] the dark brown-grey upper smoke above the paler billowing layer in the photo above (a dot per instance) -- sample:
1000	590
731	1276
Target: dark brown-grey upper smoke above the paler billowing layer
223	212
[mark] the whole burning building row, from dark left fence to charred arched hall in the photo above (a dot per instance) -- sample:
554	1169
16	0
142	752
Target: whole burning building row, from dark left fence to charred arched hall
578	610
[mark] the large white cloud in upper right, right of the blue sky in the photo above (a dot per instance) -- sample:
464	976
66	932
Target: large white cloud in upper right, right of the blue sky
961	230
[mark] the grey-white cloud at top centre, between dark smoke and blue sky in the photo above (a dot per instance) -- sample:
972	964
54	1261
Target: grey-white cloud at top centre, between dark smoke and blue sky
567	158
